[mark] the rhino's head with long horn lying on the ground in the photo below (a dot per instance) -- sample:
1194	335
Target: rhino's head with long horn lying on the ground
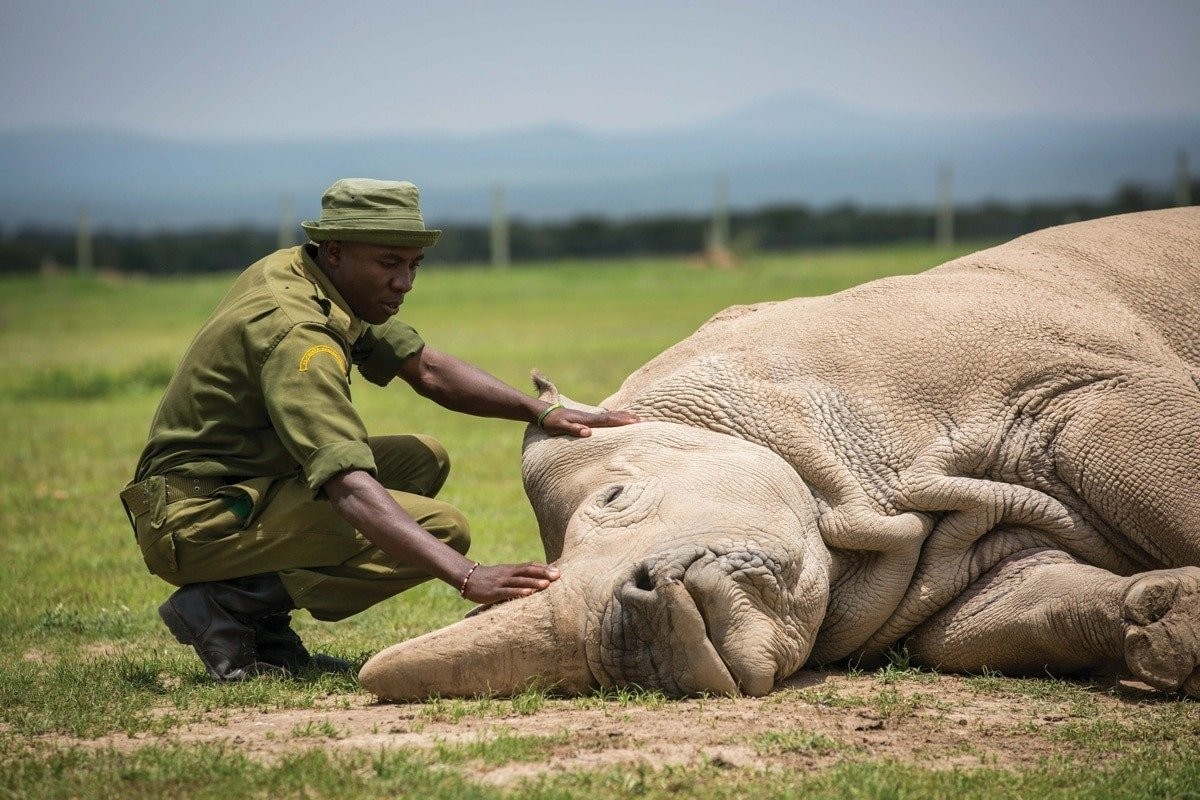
691	563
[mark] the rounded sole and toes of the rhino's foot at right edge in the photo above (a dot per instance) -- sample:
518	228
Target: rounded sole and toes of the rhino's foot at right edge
1162	641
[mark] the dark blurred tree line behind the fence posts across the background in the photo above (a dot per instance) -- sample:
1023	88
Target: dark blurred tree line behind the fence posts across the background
769	228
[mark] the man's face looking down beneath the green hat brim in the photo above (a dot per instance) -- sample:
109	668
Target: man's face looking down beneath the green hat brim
373	279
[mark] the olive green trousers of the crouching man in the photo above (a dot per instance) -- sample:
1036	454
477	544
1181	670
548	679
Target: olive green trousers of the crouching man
277	526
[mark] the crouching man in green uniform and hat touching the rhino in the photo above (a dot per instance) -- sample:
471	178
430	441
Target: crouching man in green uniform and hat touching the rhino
260	490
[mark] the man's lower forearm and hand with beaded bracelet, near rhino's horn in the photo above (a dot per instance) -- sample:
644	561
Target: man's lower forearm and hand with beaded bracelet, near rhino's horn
363	502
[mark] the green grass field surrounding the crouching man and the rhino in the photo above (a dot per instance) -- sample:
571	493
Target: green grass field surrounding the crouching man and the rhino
97	699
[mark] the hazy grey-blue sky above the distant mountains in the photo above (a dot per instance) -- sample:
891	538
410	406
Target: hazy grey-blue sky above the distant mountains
304	70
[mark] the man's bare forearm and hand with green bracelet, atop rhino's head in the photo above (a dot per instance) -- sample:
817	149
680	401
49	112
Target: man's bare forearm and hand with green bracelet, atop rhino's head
461	387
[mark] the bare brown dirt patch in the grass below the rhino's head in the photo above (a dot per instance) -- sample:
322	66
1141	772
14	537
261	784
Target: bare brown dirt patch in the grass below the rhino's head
814	720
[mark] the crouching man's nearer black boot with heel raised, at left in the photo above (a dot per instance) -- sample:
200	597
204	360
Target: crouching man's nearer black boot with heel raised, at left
218	621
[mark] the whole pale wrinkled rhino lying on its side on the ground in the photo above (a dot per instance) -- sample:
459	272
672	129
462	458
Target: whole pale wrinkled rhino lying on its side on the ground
995	465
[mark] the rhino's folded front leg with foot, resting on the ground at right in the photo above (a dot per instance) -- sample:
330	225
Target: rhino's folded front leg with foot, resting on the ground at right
1042	612
